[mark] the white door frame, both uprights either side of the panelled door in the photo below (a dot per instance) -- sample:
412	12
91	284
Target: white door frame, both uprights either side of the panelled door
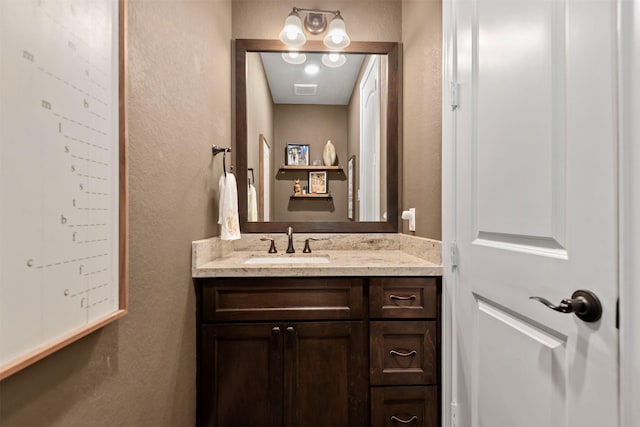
628	48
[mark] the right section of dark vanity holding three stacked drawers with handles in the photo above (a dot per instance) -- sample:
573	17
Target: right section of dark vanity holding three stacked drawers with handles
404	348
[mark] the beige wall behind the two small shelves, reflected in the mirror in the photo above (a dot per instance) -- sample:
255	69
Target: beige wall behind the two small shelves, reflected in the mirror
313	125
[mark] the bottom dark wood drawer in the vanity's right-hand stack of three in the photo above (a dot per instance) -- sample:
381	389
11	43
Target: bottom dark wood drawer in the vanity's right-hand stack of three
404	406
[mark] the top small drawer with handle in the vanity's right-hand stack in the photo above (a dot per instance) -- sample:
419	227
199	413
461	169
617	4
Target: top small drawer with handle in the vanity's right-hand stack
406	297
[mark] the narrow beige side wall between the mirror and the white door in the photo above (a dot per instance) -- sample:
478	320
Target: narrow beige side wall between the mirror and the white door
422	99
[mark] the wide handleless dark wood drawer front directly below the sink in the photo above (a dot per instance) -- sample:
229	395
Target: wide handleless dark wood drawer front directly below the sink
239	299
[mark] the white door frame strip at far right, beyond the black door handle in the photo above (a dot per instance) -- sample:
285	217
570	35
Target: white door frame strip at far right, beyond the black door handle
629	207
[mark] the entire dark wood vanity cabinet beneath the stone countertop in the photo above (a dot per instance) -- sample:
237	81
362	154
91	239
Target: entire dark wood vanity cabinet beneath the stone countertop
307	352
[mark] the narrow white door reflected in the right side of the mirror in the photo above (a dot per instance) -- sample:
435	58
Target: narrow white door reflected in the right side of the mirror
370	143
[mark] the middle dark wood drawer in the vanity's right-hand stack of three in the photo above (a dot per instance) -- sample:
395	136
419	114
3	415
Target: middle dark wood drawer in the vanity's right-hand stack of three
403	352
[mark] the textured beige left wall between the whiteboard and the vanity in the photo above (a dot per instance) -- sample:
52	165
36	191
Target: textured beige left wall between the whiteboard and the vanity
140	370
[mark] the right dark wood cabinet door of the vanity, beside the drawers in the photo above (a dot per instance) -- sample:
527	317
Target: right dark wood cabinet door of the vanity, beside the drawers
325	368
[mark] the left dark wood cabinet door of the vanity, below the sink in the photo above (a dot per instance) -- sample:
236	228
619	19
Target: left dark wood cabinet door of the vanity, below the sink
241	375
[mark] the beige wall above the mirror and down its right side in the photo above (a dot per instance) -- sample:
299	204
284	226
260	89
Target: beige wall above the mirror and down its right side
415	23
